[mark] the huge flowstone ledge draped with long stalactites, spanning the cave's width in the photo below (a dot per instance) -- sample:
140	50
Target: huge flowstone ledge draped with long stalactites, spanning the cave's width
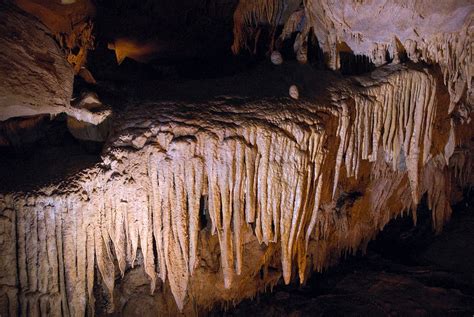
216	201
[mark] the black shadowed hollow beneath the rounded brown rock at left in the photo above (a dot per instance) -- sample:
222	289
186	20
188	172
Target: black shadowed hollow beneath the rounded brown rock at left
44	155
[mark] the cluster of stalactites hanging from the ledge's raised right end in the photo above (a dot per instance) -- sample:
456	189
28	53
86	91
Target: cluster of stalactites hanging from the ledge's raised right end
398	119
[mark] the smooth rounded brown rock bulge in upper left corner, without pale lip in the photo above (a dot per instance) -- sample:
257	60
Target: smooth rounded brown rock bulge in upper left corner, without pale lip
35	77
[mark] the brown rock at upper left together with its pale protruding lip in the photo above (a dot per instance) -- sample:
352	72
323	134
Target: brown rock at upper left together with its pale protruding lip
36	78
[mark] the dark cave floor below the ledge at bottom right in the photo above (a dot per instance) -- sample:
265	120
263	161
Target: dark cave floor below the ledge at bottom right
407	271
